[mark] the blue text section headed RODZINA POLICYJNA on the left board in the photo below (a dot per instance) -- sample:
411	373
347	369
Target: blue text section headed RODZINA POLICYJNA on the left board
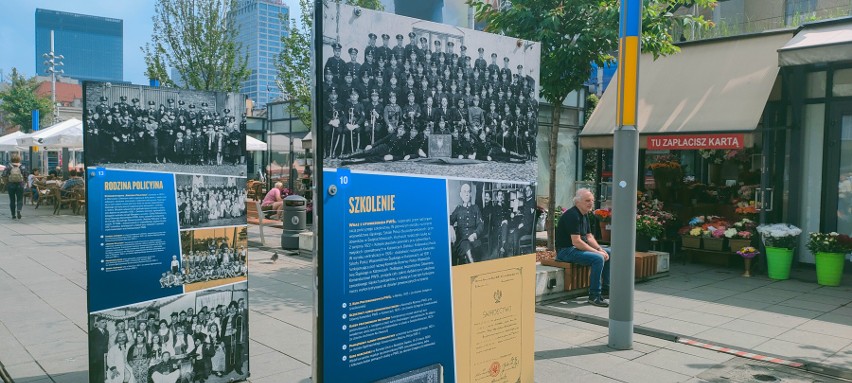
133	235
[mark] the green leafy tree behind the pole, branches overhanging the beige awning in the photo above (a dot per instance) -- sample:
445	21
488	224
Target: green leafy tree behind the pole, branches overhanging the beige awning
574	34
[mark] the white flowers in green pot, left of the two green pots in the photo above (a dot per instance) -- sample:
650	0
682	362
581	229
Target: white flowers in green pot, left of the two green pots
779	239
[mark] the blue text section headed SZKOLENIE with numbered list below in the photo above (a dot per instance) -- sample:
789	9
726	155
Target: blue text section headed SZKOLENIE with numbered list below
387	305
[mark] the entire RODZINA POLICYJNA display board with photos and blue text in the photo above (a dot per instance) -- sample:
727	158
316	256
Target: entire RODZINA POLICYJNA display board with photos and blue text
166	234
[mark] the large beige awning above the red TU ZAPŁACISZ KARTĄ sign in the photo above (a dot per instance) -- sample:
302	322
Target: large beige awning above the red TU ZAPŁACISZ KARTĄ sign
718	86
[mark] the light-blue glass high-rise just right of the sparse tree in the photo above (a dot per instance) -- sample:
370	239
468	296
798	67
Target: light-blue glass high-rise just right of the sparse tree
261	24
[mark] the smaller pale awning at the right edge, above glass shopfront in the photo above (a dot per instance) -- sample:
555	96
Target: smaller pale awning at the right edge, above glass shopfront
819	43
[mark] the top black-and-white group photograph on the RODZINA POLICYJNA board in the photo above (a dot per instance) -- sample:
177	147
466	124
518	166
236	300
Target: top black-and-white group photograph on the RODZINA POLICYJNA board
161	129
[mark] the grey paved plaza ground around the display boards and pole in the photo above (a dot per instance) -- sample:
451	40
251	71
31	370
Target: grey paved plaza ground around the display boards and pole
43	317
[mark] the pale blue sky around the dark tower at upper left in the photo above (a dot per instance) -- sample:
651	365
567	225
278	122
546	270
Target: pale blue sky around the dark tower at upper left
17	30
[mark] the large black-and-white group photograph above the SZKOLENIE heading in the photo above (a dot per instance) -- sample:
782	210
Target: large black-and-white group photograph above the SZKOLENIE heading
409	96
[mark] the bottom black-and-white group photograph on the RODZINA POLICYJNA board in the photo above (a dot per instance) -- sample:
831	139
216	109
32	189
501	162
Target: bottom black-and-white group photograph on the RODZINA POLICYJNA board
196	337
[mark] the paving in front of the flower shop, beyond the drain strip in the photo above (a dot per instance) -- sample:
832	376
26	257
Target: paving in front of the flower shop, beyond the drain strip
795	319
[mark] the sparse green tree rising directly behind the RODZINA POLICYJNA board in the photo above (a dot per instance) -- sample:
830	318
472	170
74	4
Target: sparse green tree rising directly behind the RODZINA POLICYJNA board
198	39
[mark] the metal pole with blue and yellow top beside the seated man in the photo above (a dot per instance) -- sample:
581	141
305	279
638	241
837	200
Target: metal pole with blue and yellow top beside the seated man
625	175
